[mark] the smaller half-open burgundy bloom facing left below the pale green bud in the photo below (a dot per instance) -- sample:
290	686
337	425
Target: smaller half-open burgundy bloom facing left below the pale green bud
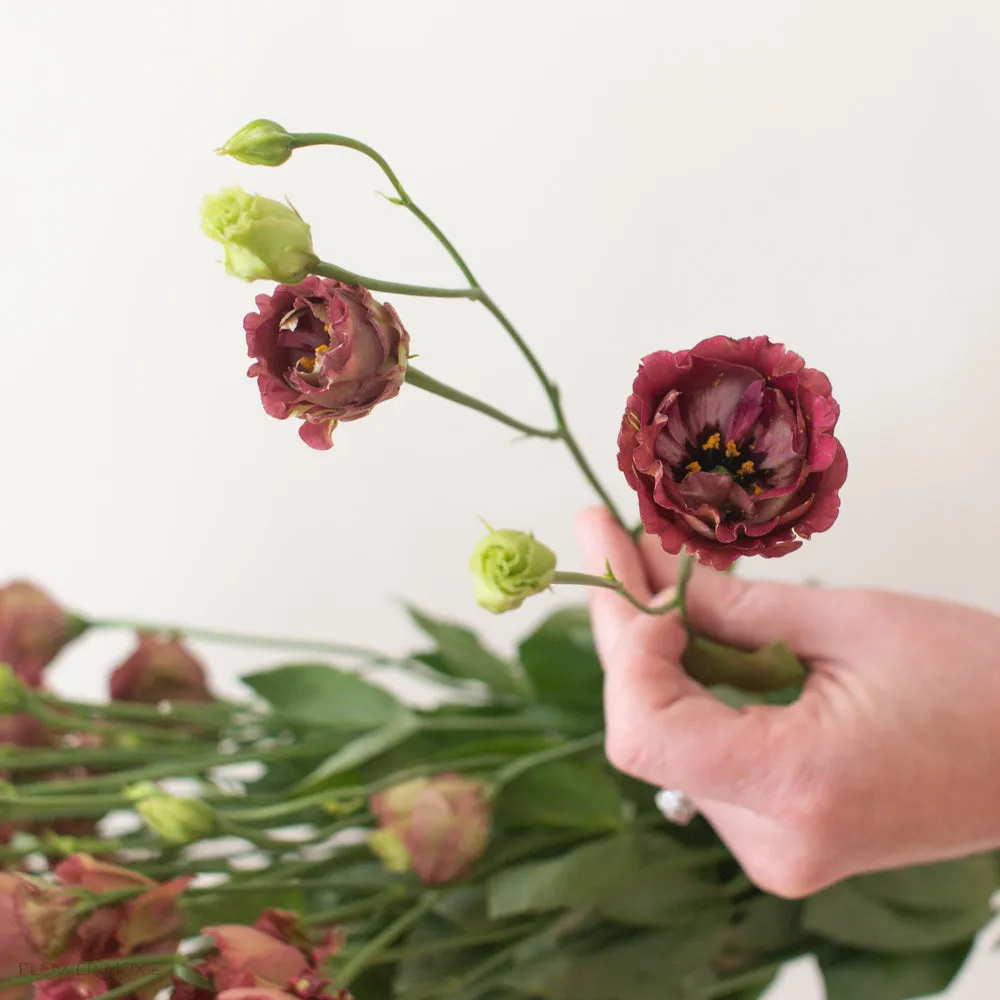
325	352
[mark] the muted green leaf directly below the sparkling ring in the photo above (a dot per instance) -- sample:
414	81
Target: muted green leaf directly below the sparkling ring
663	888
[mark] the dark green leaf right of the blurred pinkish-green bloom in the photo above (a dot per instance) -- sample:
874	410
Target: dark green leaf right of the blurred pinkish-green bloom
574	794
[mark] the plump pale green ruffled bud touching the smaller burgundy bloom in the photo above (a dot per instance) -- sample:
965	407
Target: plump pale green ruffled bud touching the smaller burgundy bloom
262	238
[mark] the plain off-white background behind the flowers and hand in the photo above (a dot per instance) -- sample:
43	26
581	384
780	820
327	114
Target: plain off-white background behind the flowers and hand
622	178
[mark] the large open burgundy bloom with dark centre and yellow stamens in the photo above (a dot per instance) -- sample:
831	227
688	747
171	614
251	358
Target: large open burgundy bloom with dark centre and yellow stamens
730	447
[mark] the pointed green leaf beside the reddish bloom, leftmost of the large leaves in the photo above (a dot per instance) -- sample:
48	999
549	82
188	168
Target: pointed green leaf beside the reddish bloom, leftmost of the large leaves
325	696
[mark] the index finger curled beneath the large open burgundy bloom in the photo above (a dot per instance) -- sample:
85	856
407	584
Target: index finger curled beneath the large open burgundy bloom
751	614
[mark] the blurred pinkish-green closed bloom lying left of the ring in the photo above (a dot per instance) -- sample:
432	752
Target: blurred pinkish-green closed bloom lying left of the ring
443	822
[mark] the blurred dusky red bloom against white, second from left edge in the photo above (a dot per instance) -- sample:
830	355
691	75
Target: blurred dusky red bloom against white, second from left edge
160	669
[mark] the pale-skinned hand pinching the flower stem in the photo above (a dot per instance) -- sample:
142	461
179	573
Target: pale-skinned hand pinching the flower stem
890	757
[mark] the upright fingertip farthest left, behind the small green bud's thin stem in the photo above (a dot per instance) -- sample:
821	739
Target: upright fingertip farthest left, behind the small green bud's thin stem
602	541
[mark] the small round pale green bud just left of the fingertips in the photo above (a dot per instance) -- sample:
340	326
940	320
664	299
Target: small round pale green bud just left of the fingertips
509	566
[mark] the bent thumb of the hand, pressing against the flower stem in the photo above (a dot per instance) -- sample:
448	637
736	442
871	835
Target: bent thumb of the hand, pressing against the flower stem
664	728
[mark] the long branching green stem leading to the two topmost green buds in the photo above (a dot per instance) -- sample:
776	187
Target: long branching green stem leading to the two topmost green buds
475	291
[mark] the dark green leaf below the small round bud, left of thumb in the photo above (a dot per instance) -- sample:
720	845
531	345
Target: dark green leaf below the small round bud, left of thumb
560	660
